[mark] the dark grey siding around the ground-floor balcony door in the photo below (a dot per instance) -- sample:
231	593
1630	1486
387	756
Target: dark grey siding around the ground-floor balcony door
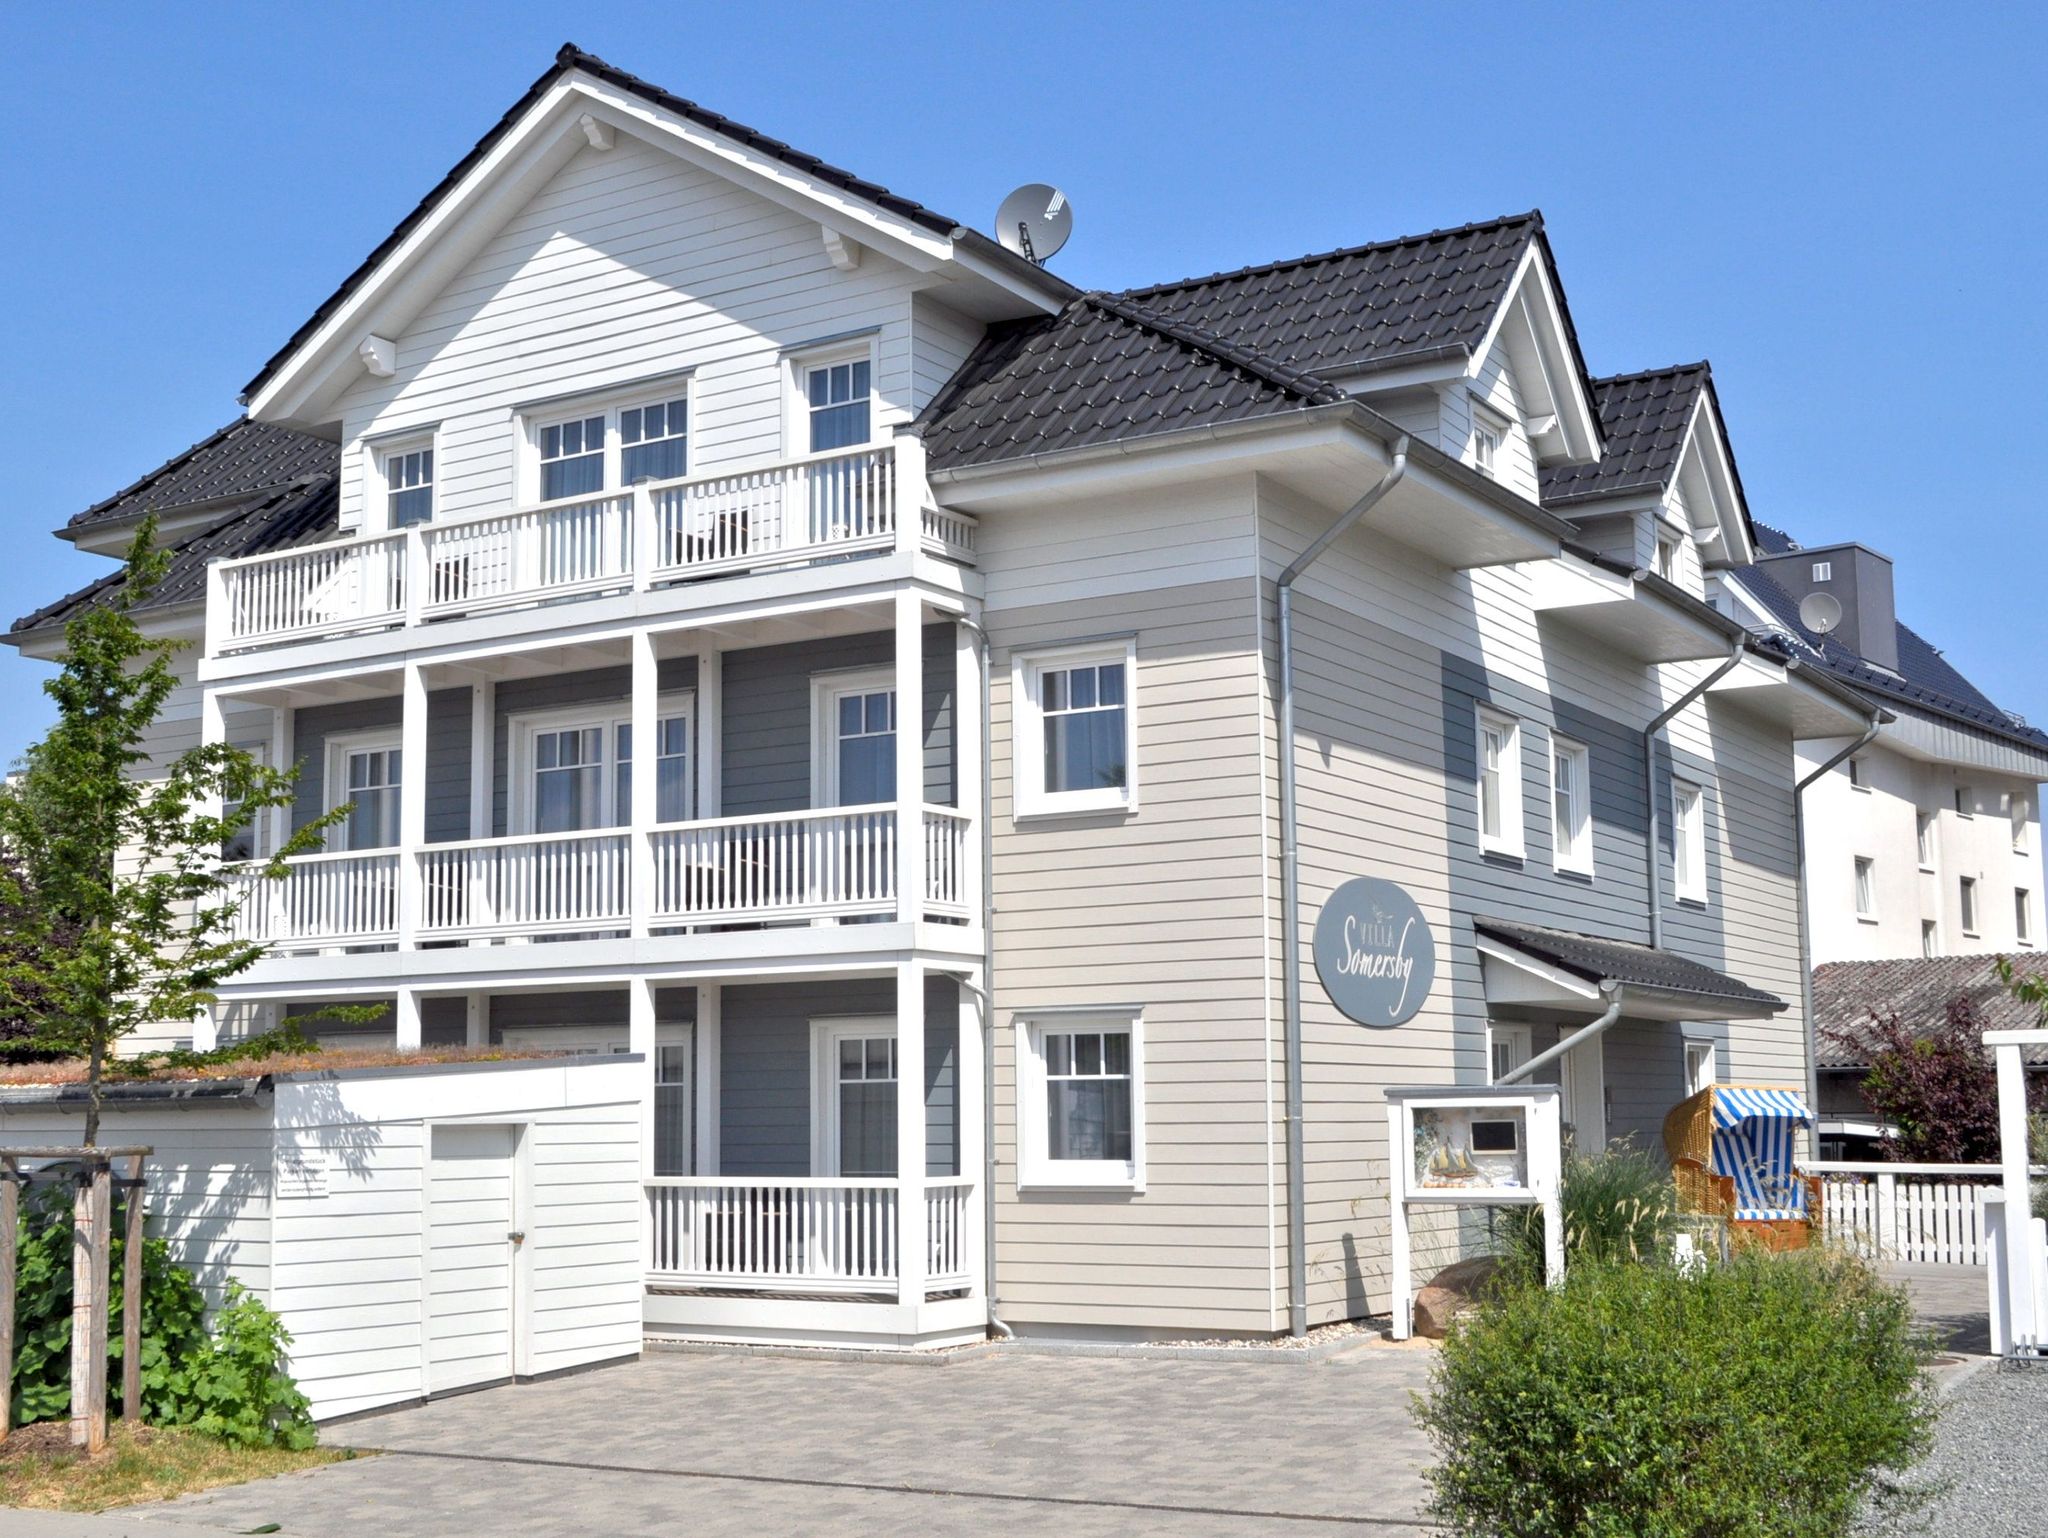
765	1070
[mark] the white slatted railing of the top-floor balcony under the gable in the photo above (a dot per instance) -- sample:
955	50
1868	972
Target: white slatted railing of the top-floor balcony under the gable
654	536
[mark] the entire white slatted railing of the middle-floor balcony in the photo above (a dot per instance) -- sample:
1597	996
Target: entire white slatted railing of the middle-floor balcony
722	871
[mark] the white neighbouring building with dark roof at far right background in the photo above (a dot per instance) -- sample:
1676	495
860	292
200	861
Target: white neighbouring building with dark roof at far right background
1926	841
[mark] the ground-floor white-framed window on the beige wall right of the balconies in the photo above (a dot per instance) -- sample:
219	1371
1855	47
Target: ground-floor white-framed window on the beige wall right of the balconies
1082	1101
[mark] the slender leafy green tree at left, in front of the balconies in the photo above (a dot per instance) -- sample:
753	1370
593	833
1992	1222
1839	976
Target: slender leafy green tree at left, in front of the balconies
122	908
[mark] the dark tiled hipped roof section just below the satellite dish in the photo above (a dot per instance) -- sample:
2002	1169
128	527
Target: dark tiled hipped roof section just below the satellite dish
1103	370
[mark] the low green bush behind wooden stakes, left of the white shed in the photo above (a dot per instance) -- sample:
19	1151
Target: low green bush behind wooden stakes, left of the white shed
228	1385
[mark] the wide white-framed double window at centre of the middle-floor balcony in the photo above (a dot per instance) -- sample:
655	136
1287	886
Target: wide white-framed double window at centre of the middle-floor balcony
572	769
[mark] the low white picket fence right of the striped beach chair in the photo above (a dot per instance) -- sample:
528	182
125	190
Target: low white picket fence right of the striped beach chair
1920	1213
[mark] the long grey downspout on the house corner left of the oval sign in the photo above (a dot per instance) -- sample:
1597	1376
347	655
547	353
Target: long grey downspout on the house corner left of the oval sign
1297	1222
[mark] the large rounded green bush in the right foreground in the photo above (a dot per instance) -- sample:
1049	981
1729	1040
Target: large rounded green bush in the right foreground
1756	1400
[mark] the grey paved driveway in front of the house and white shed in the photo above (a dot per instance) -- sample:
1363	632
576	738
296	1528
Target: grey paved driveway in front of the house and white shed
1009	1443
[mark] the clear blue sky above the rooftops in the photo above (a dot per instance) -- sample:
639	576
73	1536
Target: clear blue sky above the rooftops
1842	208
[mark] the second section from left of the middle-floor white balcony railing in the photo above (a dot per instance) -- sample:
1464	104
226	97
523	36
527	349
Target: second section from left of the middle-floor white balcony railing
536	884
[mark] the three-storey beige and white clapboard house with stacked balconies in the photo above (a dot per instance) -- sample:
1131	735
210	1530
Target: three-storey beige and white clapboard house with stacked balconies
712	579
